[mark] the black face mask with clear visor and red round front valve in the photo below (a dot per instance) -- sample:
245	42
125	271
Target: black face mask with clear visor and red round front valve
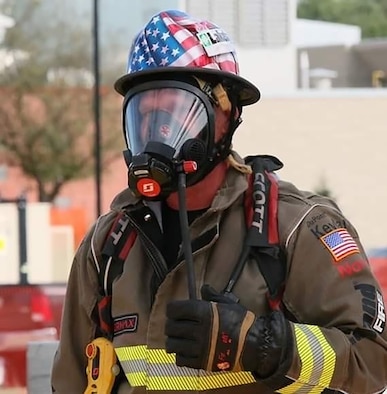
169	129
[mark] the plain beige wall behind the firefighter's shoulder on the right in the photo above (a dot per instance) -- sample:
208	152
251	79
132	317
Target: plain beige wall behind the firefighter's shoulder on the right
339	137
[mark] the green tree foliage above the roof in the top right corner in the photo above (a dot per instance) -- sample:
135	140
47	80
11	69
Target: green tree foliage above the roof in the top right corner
370	15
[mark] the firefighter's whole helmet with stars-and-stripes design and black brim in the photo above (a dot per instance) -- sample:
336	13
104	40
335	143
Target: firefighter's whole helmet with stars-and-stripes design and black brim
174	43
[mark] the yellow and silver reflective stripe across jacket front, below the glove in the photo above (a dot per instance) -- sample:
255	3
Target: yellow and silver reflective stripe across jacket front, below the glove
157	370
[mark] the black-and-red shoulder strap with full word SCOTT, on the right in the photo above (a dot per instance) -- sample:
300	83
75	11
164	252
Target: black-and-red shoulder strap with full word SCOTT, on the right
262	238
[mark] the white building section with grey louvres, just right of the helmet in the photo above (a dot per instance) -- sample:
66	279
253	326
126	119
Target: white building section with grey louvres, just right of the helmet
263	33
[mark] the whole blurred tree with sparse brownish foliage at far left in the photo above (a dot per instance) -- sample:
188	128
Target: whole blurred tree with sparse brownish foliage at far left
46	124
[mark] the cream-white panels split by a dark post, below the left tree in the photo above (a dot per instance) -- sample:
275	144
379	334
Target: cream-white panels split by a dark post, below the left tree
49	248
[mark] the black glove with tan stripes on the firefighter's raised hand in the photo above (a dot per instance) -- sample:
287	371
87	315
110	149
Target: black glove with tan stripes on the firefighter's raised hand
225	336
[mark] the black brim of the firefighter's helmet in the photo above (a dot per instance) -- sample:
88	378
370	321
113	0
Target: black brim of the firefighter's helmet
247	92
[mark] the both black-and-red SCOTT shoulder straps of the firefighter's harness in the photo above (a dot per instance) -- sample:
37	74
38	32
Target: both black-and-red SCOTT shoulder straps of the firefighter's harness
261	242
